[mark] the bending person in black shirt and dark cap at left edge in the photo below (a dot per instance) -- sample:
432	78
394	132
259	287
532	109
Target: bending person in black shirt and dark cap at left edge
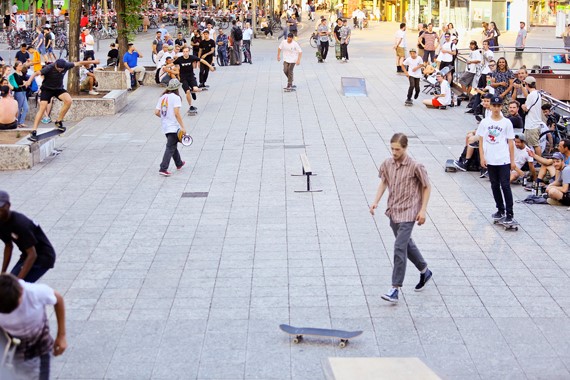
38	255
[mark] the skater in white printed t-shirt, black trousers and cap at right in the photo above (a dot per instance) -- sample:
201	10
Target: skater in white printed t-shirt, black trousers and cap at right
497	154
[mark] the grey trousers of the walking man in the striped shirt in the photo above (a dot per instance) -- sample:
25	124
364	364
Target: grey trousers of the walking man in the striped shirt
404	248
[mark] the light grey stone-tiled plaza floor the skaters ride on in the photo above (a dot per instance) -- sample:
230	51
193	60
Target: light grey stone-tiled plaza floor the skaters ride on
163	286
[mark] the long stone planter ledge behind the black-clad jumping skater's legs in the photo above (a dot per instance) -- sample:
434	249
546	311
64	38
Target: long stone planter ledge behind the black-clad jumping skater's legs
109	104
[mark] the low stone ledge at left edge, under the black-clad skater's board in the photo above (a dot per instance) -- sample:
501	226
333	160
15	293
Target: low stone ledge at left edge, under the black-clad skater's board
23	154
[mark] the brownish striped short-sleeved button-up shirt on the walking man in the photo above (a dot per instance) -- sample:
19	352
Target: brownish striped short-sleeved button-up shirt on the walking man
405	181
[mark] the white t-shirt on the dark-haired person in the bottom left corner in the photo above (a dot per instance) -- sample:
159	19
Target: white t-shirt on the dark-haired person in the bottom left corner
28	318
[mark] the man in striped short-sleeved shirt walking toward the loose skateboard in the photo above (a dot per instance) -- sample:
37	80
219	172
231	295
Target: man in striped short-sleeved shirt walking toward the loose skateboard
409	191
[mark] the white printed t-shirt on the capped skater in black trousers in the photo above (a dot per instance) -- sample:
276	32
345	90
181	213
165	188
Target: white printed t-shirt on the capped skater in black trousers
495	140
